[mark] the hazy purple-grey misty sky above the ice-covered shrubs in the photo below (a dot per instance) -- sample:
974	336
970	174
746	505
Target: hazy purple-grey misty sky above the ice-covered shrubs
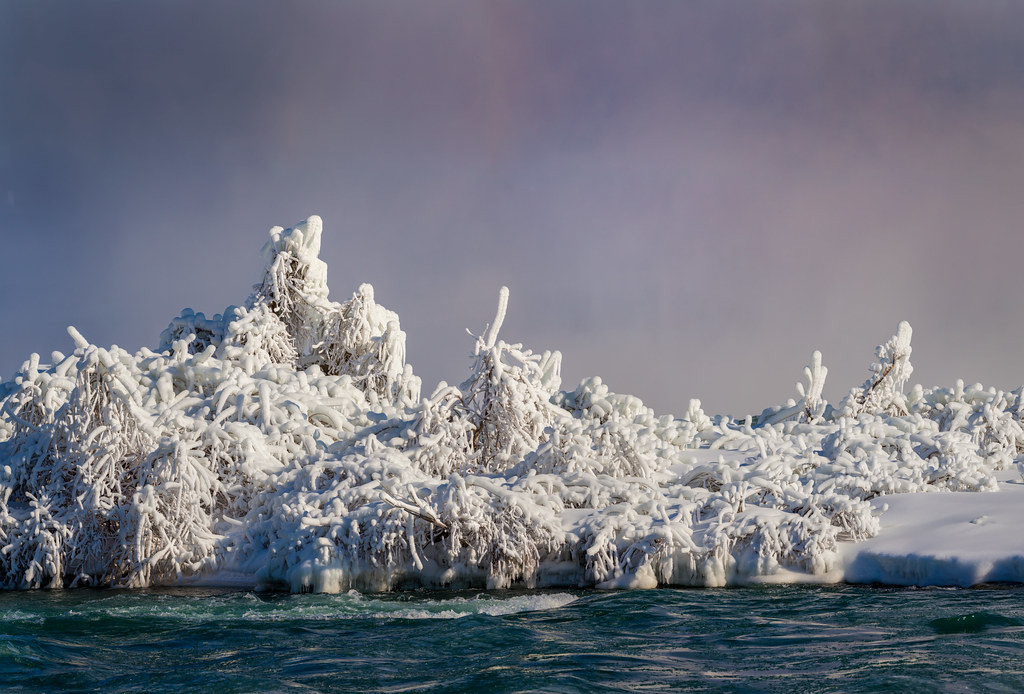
687	199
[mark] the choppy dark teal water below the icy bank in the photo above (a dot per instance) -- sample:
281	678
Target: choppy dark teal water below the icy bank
780	639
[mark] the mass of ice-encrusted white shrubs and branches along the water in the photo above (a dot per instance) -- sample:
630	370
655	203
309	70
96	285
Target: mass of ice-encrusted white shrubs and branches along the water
287	441
